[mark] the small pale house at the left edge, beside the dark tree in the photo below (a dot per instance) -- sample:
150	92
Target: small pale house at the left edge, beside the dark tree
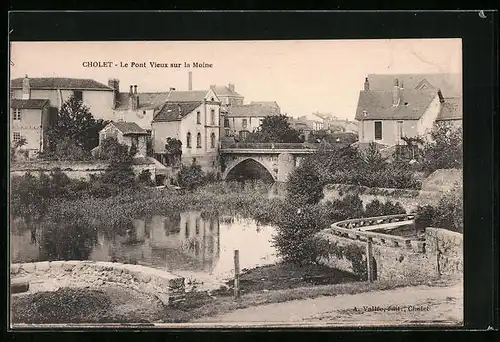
30	119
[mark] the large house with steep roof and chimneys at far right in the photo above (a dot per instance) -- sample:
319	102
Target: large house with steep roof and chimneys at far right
408	108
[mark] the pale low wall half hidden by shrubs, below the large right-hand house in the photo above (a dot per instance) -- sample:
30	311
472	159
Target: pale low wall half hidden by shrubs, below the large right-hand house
409	199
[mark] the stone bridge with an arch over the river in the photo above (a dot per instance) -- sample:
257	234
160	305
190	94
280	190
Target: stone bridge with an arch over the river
277	159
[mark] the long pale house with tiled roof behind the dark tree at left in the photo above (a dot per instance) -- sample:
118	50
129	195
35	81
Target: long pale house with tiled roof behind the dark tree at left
97	96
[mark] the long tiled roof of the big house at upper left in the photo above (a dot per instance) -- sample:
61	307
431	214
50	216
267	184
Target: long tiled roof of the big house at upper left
60	83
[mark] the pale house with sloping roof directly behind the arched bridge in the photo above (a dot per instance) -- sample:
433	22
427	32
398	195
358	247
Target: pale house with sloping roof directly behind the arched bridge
243	119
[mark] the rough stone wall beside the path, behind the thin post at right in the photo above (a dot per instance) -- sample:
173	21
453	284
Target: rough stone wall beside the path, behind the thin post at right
443	255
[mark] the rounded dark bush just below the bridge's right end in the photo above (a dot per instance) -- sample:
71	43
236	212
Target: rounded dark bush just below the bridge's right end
304	186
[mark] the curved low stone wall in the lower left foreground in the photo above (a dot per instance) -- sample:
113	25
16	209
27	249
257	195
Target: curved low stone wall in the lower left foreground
168	288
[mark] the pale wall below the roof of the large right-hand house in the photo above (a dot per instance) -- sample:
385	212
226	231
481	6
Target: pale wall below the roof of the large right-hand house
390	134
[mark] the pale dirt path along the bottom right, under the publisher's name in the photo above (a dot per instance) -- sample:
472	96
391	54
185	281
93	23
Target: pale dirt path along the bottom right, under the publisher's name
403	306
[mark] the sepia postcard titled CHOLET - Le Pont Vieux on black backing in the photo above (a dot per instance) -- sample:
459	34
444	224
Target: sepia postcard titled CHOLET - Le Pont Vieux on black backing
235	184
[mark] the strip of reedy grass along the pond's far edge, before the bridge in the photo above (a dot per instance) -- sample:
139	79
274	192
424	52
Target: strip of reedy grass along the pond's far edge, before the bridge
251	201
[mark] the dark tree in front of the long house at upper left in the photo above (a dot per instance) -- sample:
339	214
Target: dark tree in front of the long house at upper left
75	122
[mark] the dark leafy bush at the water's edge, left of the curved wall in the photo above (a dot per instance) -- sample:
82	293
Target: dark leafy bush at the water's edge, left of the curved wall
295	240
